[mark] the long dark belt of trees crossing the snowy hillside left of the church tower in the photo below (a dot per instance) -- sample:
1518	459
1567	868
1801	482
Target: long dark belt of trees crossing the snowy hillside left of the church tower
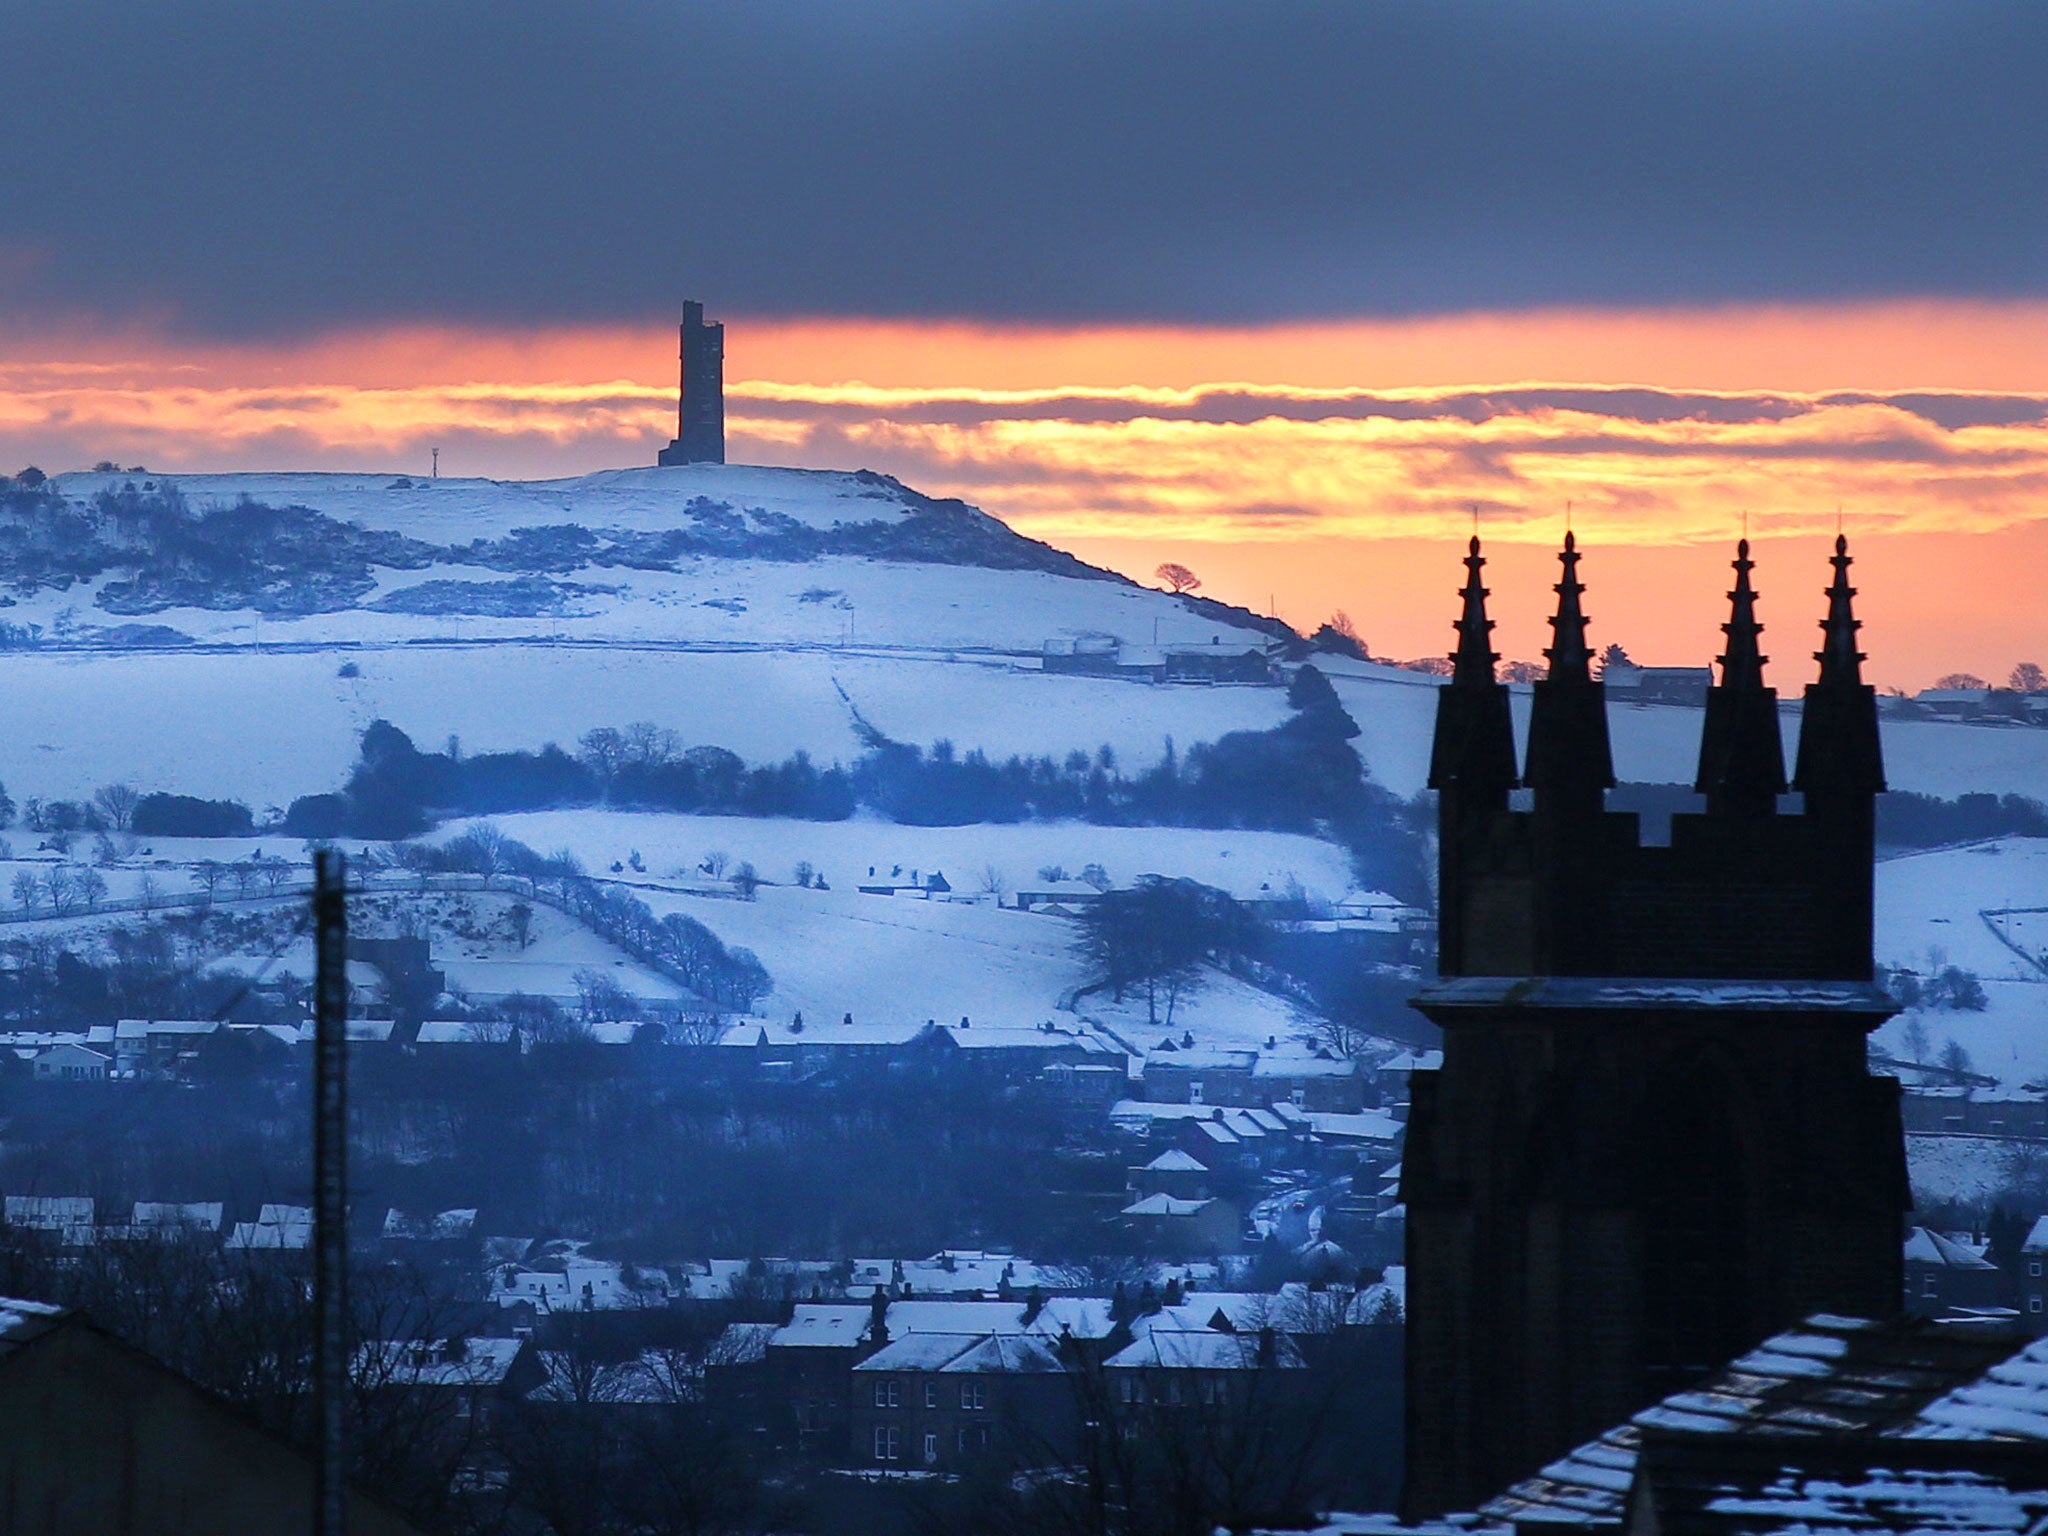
1295	777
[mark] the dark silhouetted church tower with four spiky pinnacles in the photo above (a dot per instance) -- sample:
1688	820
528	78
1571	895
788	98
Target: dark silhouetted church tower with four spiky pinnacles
1654	1138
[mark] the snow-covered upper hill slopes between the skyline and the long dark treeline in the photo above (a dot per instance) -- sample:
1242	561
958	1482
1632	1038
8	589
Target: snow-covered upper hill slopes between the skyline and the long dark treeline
759	609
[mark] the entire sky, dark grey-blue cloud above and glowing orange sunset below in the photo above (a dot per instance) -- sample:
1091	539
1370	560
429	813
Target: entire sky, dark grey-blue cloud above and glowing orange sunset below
1283	292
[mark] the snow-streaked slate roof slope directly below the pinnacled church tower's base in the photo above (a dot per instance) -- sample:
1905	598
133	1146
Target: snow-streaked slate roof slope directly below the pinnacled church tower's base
1826	1377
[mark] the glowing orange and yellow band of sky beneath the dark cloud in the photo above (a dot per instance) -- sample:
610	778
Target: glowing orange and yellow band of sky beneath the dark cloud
1304	466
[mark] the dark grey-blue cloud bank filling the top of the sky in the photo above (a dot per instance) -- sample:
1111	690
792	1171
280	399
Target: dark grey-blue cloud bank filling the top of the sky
265	169
